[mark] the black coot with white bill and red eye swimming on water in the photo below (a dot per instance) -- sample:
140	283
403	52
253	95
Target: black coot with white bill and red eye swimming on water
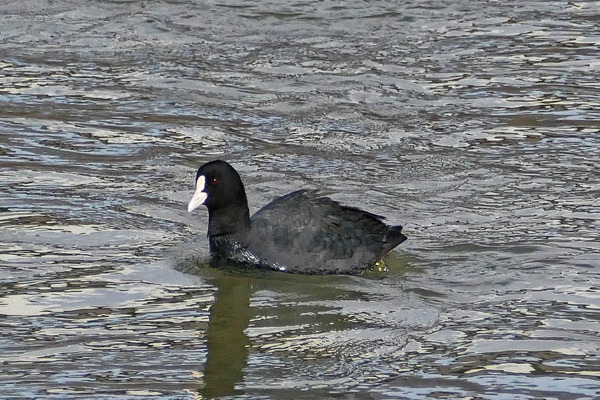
301	232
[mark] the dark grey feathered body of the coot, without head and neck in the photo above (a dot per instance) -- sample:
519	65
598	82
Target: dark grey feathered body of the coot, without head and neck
304	232
